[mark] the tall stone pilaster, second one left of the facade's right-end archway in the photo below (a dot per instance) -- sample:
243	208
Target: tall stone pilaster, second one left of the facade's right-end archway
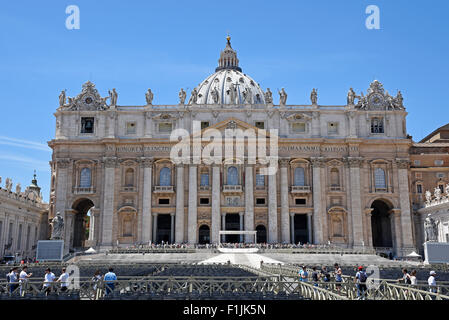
318	207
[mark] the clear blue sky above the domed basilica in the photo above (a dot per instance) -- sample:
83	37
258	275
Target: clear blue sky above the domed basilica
166	45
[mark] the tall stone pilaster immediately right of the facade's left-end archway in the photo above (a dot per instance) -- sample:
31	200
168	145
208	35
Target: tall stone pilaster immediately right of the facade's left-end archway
110	164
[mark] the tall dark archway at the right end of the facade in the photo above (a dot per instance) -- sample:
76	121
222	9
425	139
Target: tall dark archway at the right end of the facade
381	224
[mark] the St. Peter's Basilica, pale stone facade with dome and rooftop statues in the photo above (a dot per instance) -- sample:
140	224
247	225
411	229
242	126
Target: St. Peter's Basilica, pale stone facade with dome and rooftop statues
342	173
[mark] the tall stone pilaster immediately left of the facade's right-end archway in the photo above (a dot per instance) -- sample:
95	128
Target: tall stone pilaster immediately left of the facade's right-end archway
356	200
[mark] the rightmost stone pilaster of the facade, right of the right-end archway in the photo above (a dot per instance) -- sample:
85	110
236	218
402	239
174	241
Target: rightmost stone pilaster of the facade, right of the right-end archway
404	199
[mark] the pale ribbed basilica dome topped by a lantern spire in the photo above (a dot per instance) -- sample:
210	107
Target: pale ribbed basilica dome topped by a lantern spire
228	85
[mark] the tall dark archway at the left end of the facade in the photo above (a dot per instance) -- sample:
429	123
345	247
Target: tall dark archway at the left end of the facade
81	222
